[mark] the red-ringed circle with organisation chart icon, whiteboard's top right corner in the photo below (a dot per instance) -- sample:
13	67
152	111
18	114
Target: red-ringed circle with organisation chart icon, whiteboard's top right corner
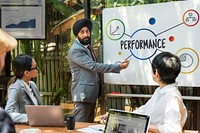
190	17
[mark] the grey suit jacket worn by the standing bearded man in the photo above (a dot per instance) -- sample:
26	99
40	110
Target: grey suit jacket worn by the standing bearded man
85	77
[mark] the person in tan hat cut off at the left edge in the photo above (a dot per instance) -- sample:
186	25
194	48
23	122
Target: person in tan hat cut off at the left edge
7	43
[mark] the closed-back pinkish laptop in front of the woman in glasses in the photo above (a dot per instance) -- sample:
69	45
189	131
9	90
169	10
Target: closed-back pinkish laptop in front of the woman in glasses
45	115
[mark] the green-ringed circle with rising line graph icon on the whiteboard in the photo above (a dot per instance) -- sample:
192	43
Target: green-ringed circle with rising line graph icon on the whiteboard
115	29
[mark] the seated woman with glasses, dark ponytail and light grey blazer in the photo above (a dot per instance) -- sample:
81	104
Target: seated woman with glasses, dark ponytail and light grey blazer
22	90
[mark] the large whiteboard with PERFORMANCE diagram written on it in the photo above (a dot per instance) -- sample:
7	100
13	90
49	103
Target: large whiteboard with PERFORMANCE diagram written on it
139	33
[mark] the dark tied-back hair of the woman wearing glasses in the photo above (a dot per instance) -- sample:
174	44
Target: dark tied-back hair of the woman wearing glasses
21	63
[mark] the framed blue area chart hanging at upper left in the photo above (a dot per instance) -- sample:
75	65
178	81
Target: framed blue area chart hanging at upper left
25	20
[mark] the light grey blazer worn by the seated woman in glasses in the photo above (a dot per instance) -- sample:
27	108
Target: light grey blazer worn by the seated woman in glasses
18	97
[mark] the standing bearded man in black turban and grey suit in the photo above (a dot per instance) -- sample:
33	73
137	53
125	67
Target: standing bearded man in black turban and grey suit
85	72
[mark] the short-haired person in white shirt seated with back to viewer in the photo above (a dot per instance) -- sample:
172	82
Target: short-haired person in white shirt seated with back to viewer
166	108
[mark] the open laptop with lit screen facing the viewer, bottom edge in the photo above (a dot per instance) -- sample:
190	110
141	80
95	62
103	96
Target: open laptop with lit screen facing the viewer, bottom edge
120	121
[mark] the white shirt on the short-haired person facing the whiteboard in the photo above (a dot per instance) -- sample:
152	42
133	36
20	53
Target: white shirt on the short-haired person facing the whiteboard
166	109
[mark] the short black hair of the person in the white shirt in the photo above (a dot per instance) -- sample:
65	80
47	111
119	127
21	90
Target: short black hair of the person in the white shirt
168	66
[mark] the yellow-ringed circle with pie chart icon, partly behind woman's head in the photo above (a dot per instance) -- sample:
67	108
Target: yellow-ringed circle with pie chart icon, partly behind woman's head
189	60
